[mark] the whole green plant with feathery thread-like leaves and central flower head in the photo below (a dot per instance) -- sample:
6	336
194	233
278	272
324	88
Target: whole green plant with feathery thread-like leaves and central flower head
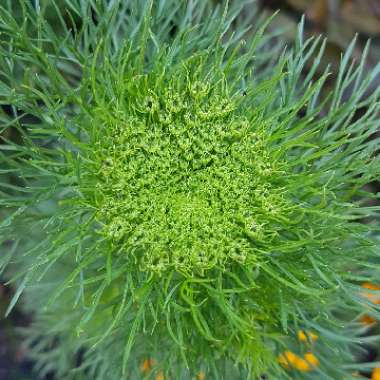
186	192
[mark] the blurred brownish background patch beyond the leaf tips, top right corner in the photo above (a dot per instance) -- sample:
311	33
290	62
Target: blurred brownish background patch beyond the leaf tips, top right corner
339	20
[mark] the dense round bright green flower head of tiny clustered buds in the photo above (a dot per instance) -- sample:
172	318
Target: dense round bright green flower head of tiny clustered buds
185	182
